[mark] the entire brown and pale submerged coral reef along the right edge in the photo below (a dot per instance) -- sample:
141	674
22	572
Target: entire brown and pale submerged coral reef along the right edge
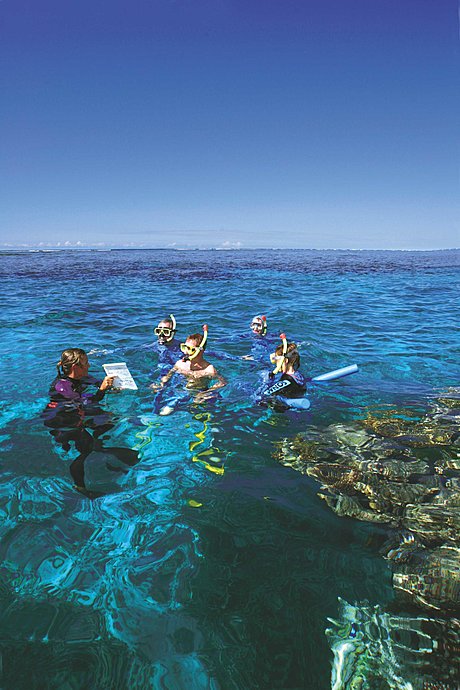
401	470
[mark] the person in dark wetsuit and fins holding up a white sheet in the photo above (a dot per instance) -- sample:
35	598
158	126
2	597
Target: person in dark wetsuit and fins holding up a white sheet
74	415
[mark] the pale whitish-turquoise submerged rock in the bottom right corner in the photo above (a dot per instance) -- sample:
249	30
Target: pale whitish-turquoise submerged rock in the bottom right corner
375	650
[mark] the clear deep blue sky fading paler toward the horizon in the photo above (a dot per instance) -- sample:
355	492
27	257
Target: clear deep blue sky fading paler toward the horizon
295	123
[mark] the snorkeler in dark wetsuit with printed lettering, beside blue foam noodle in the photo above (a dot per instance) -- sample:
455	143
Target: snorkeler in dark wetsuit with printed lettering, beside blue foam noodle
287	385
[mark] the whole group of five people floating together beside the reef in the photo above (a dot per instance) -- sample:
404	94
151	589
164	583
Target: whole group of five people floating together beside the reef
74	414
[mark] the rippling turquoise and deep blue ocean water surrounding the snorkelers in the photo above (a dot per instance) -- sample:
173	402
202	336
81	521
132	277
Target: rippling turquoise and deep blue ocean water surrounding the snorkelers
208	565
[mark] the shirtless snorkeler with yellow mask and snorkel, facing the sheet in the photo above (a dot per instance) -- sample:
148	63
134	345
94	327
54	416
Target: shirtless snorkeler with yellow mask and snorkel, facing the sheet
198	372
